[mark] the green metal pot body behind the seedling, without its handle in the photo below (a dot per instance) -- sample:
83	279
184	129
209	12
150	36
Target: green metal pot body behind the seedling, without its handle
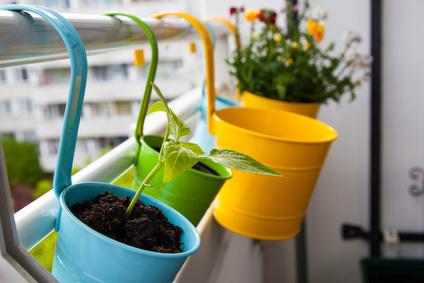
190	193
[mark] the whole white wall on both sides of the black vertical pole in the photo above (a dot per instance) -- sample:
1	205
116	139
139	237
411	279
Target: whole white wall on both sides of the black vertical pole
342	192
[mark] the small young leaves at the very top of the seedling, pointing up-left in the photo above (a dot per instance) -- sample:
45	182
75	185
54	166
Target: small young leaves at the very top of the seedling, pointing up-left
177	127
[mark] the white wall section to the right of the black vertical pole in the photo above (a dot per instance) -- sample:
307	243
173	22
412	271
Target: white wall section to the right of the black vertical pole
403	119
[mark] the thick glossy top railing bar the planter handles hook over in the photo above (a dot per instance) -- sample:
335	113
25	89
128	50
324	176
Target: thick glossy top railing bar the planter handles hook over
25	39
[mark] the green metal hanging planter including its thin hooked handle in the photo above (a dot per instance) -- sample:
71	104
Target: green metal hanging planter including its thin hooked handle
190	193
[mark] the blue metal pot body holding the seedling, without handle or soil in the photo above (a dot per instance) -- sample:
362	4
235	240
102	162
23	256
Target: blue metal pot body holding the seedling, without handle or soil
84	255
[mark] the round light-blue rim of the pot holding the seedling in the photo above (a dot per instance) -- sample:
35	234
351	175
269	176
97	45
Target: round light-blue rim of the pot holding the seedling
154	202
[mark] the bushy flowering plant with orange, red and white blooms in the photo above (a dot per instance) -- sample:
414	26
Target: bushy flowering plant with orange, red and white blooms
289	63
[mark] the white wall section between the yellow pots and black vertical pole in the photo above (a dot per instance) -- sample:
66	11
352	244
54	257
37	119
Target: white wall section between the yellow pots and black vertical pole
342	191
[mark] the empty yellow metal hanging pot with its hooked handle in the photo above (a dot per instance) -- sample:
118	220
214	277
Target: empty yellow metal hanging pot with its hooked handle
258	206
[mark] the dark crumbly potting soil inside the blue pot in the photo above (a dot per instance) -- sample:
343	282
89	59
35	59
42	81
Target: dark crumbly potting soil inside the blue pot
146	228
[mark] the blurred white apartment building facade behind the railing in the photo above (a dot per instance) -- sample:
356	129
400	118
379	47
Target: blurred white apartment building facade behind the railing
33	97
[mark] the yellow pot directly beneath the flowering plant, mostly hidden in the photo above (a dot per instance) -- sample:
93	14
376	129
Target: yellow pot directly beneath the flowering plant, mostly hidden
255	101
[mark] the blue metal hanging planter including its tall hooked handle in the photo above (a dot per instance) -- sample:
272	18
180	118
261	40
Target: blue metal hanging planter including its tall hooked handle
82	254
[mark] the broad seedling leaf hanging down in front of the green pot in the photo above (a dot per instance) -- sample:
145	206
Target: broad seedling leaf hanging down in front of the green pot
178	158
